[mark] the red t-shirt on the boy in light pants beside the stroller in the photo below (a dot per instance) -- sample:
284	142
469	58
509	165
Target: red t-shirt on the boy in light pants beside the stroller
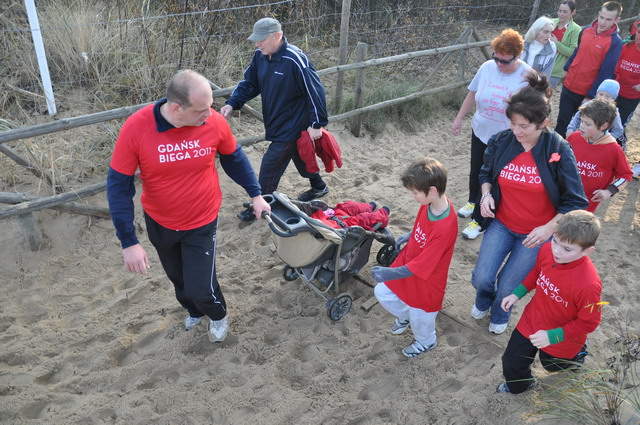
427	255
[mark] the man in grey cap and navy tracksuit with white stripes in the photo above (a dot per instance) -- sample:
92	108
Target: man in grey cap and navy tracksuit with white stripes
293	101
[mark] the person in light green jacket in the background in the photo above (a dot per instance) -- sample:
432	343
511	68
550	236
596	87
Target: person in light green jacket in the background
565	37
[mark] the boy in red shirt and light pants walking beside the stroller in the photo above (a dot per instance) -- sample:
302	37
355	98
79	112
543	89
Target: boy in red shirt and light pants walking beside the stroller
412	289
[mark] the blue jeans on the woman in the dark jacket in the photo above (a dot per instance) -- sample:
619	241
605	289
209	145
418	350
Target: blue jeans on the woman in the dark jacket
492	282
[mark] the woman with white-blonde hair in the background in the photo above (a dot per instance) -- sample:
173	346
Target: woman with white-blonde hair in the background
539	52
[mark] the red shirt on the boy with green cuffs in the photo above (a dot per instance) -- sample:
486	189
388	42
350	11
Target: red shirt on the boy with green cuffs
566	296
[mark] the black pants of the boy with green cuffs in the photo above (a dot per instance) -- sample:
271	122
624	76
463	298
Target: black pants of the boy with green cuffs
517	359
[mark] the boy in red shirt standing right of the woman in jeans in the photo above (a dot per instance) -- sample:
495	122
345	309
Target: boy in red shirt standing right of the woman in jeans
603	167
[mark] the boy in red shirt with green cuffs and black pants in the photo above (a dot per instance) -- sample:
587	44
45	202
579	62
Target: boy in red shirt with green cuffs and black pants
564	308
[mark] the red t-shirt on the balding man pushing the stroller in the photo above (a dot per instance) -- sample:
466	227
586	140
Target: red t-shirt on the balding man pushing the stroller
180	186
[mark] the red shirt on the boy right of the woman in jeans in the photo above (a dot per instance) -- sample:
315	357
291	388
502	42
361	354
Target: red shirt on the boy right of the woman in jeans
599	165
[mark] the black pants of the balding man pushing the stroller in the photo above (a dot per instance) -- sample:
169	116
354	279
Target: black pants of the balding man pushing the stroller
189	259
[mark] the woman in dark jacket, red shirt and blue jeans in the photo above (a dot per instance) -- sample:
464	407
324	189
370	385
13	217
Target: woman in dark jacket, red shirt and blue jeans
529	180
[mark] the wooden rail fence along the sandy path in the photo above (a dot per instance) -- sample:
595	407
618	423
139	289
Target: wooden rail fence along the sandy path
22	205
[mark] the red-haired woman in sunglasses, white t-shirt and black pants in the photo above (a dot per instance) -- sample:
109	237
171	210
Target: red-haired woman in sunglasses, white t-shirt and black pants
495	81
